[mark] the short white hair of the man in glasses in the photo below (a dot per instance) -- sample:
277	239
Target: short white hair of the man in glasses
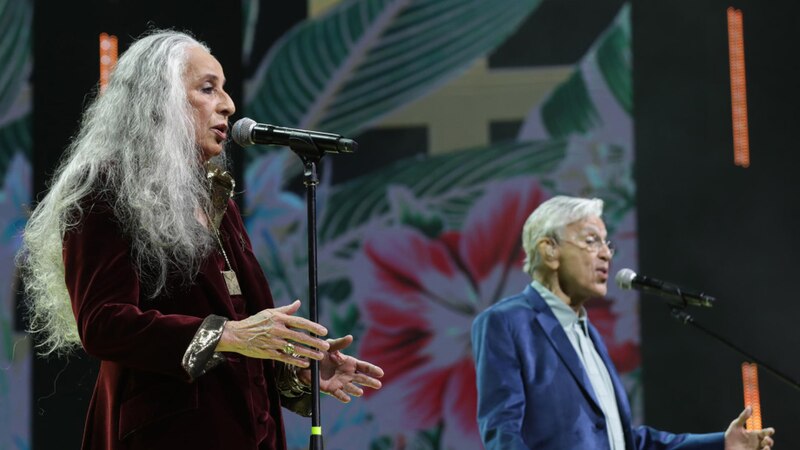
549	219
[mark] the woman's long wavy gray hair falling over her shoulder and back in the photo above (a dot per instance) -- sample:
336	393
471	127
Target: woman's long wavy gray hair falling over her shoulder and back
136	142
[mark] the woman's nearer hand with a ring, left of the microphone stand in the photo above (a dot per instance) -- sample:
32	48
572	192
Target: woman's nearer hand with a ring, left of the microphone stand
273	334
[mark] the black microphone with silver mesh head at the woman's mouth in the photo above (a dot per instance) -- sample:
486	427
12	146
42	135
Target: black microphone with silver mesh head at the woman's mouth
247	132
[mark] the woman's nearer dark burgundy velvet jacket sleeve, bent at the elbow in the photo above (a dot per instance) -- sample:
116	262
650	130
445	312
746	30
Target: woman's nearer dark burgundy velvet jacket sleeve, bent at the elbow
103	285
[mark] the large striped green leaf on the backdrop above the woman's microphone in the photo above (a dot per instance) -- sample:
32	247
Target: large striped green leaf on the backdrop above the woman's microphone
345	70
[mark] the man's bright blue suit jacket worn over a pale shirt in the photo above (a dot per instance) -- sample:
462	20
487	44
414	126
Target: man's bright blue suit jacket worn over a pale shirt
533	392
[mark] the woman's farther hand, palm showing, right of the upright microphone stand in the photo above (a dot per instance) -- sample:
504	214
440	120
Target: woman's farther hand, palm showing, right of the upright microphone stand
340	375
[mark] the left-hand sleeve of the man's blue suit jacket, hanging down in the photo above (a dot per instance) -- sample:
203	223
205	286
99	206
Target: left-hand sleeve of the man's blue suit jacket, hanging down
501	394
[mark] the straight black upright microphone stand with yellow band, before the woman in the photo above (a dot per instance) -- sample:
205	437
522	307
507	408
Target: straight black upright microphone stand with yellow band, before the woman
310	180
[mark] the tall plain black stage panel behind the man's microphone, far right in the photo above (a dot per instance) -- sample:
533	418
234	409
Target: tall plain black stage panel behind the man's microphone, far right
708	224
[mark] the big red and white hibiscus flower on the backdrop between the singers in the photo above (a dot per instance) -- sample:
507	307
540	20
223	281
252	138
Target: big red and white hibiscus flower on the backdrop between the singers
420	296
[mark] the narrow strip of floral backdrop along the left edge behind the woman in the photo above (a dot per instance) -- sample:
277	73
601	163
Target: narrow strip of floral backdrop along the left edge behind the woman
16	17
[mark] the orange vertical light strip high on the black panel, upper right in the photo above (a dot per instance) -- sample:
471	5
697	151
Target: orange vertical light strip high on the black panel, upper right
741	138
